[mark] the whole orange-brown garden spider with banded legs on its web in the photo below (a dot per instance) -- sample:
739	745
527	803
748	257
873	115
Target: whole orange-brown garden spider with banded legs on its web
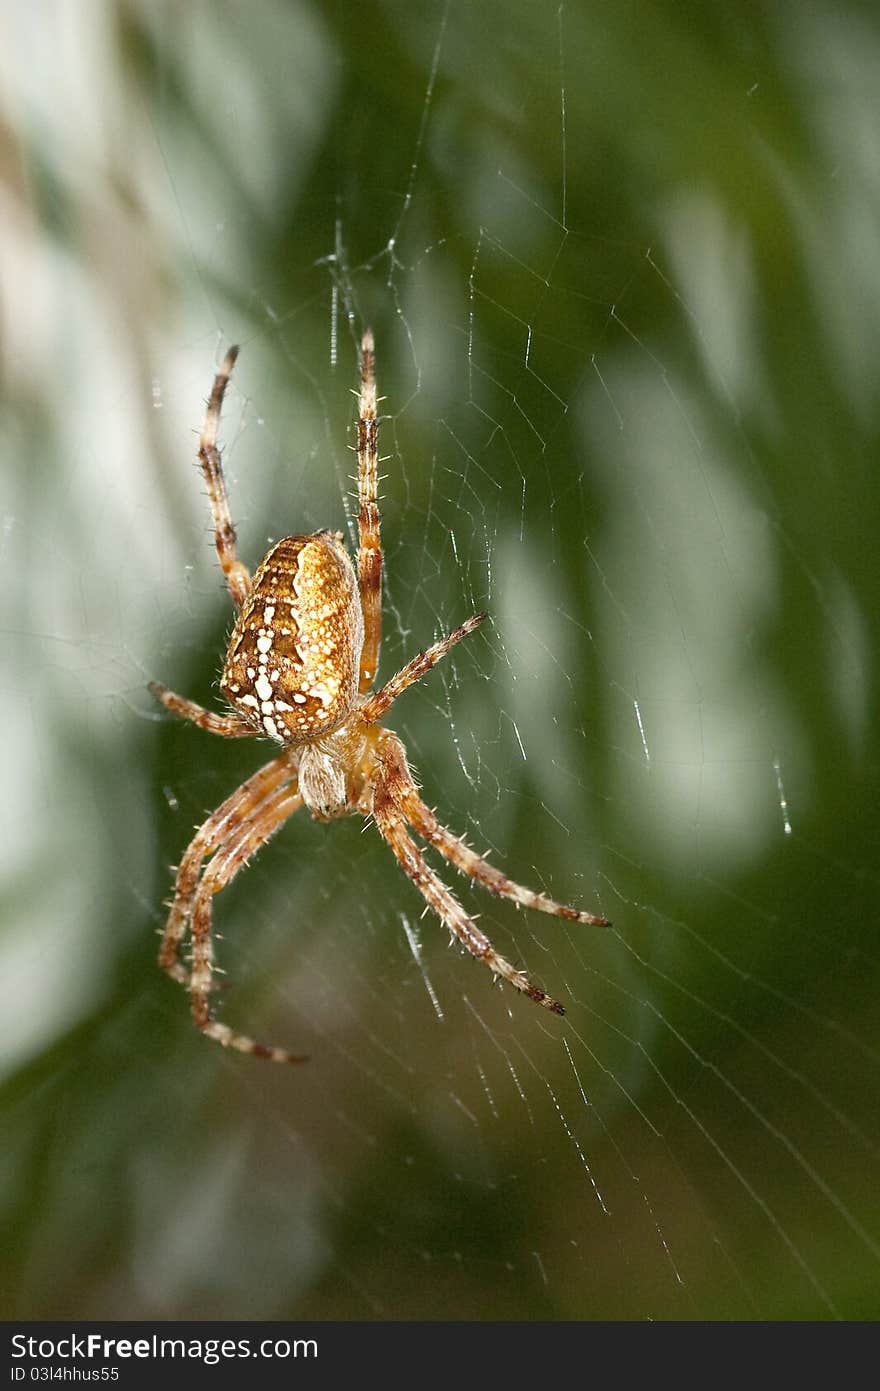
300	668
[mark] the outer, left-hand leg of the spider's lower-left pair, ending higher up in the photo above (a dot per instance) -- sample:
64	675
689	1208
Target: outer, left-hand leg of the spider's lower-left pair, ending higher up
218	831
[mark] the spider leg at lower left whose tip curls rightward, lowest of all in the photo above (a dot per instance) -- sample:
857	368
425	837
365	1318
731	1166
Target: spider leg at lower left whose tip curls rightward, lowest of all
229	860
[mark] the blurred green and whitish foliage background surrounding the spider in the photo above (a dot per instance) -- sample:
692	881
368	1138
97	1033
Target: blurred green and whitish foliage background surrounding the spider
622	262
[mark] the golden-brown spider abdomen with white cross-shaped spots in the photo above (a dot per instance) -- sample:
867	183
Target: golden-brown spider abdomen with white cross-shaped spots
294	657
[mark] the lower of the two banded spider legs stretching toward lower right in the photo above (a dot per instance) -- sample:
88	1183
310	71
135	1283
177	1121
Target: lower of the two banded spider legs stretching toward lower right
393	828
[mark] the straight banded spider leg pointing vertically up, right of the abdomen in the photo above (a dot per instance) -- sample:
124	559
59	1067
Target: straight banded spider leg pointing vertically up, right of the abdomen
370	547
